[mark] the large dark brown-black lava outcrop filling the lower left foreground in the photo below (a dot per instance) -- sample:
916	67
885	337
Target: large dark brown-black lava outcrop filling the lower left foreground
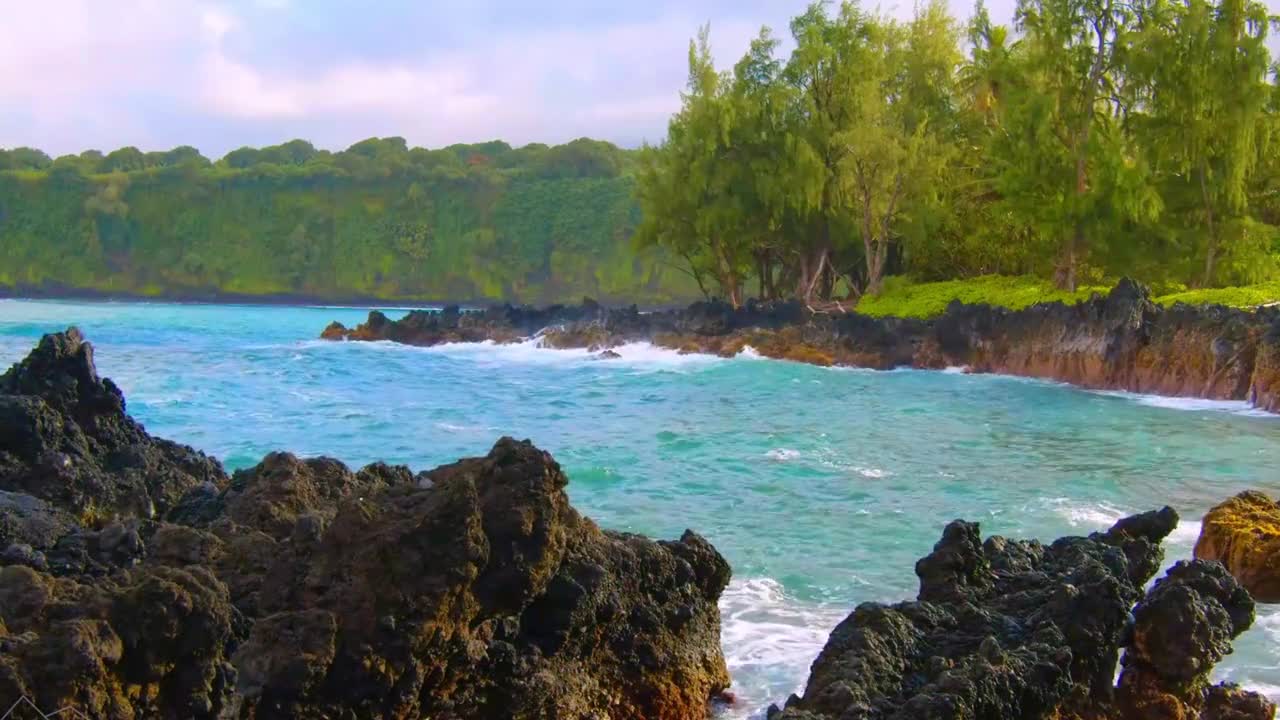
138	581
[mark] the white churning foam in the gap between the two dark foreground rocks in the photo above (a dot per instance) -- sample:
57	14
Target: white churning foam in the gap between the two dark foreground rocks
770	641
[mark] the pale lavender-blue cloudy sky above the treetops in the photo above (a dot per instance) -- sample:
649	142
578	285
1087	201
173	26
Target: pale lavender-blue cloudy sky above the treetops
79	75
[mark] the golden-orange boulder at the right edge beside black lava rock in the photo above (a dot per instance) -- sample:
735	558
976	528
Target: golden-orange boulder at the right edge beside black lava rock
1244	534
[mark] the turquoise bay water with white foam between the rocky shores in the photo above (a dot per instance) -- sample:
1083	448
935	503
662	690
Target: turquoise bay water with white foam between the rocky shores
821	486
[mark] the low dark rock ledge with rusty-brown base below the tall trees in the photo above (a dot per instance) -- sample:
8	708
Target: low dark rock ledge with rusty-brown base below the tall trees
1122	341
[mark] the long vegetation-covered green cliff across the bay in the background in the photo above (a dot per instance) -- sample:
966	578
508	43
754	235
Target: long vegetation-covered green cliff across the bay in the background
380	220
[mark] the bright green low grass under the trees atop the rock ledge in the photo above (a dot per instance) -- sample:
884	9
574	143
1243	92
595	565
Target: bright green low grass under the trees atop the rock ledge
906	299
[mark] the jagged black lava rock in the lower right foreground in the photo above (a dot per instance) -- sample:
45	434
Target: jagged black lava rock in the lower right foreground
1017	630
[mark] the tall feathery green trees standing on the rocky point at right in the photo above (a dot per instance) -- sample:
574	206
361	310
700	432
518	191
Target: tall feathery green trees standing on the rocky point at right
1092	139
